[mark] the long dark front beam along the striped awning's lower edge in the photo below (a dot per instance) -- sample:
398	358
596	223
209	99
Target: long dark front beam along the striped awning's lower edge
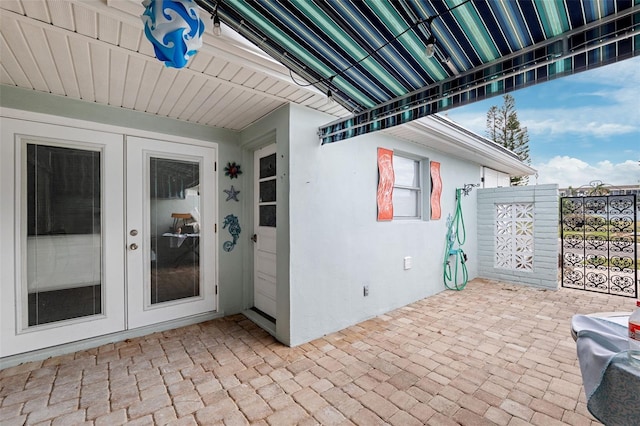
608	40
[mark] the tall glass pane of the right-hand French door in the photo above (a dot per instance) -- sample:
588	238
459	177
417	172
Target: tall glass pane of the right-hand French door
175	229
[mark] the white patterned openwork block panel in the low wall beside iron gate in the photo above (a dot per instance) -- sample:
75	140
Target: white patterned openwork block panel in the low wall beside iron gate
514	236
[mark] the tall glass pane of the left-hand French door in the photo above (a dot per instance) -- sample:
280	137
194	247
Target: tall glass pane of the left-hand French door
64	244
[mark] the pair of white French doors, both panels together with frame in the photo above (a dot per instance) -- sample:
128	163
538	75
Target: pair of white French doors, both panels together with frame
99	234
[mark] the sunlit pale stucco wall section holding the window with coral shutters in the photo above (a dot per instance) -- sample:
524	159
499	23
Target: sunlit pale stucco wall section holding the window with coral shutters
336	244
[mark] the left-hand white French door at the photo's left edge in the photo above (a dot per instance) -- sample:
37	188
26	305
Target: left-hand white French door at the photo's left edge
61	227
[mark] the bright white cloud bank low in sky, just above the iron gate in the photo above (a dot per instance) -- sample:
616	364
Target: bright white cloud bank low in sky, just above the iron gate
568	171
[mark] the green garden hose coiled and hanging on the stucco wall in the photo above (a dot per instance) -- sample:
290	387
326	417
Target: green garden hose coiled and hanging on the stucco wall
456	278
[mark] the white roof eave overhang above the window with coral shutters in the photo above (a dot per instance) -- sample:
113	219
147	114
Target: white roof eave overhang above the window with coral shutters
439	136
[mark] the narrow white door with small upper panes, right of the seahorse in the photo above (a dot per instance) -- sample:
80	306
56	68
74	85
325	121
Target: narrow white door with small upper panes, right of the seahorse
264	284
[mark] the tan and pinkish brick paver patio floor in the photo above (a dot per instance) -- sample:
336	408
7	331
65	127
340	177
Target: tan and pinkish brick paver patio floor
491	354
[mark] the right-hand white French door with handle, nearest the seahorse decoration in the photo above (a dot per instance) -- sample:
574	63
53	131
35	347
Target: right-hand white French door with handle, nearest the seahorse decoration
170	231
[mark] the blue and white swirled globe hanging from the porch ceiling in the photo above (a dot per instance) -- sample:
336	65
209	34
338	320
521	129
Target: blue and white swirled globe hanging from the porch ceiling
174	29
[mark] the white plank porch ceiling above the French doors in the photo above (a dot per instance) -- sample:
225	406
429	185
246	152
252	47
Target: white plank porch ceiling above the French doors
96	51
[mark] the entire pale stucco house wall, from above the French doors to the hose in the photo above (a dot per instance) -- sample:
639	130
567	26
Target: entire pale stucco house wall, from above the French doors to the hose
330	244
